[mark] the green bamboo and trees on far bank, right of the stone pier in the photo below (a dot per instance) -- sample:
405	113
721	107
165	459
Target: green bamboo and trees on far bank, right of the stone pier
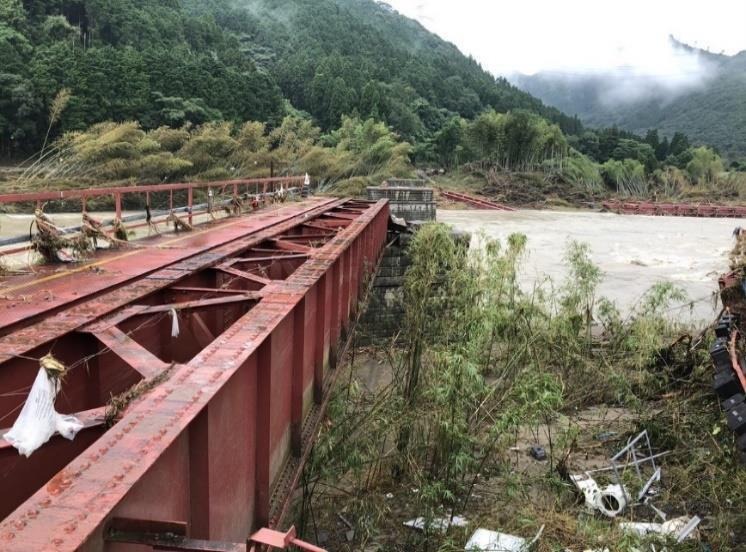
524	159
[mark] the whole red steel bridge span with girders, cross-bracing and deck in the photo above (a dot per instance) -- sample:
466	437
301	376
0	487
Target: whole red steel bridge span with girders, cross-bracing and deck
262	304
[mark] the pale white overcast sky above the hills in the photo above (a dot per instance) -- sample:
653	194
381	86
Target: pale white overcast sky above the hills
527	36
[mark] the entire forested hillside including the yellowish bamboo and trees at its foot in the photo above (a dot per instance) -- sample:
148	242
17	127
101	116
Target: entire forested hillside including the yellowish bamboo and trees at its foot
349	91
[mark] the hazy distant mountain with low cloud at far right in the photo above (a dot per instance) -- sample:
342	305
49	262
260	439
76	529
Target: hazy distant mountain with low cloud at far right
710	109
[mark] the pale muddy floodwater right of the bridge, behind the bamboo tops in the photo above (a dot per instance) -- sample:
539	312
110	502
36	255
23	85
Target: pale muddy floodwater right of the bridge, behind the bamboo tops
634	252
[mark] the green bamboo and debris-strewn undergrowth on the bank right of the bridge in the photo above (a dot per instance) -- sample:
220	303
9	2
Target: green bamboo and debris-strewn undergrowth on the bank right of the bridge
438	424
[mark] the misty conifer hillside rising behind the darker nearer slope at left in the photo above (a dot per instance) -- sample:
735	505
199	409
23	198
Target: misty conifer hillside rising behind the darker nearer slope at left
332	57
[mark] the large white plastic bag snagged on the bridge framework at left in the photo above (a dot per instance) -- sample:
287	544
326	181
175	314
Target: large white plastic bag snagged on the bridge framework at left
38	419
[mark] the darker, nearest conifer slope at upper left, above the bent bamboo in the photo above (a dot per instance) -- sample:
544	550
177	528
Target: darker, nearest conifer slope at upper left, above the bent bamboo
120	61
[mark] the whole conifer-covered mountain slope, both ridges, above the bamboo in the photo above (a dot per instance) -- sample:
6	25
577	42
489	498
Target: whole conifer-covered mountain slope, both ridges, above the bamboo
175	62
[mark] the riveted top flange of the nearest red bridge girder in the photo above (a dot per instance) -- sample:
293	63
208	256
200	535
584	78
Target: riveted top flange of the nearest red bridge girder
69	509
